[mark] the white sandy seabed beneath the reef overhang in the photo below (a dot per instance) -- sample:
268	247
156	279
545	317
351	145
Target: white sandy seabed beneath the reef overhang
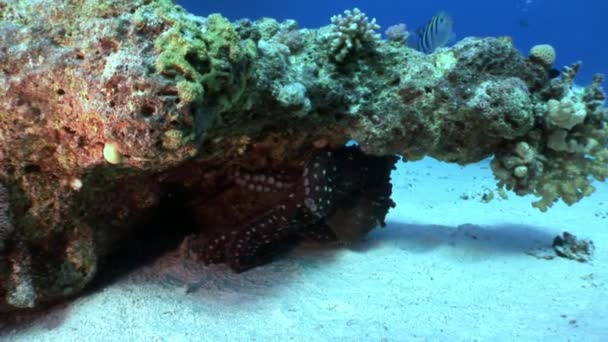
445	268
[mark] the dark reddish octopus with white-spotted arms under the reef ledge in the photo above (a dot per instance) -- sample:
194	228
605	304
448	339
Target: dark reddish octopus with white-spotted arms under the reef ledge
334	190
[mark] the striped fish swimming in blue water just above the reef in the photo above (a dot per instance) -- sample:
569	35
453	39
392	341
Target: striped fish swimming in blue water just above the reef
436	33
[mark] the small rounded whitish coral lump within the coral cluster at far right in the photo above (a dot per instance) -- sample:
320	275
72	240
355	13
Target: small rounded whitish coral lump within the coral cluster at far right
567	112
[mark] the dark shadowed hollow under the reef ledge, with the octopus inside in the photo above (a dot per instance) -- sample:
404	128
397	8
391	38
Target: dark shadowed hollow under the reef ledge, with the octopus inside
335	196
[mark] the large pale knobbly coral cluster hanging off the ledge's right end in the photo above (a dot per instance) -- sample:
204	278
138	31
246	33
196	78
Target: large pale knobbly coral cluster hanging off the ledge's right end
561	156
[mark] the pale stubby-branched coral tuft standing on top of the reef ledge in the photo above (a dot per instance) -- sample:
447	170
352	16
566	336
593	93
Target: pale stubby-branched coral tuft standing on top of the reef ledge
350	32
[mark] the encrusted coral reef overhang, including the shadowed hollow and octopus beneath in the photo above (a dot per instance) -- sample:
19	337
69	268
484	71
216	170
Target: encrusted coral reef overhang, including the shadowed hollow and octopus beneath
111	112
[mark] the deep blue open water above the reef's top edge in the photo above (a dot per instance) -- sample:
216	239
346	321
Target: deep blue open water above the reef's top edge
575	28
